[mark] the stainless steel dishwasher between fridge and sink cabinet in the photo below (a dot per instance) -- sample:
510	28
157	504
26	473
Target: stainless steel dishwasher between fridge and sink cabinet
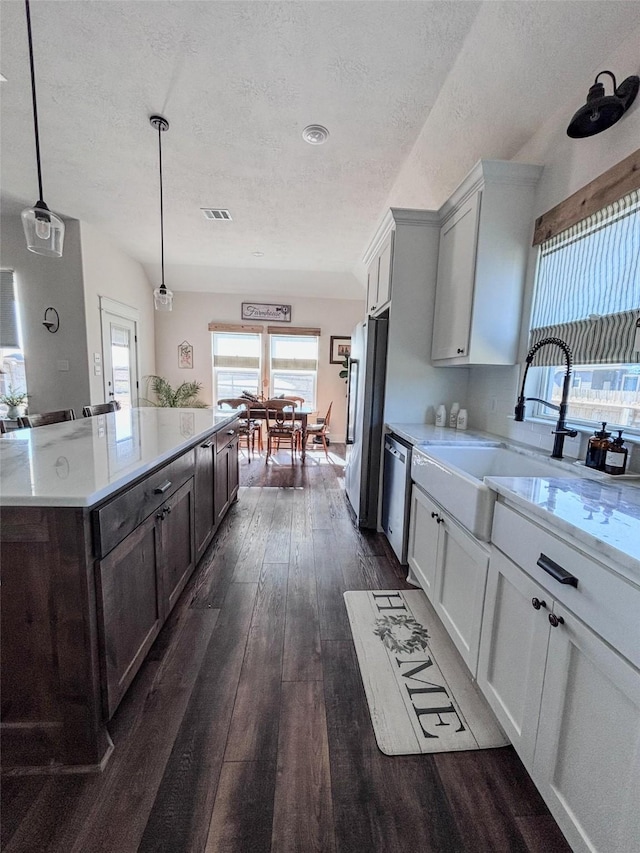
395	494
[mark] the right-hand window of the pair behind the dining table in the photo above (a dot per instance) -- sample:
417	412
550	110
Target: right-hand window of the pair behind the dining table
294	366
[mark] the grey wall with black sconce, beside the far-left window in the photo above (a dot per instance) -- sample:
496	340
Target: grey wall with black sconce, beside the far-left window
42	282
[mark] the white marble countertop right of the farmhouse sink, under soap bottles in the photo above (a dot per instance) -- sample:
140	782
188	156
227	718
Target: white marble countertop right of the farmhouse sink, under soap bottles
603	517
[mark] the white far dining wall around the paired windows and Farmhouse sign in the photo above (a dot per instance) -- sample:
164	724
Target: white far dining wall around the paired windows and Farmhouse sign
192	312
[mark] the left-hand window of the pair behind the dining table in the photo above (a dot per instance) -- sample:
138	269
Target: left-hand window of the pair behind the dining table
236	364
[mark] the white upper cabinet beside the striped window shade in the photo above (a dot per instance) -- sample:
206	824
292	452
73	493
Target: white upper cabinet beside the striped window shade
485	237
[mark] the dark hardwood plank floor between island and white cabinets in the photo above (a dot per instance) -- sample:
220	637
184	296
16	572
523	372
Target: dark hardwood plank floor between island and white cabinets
247	728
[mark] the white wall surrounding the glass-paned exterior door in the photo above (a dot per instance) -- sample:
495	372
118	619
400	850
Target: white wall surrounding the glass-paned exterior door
107	271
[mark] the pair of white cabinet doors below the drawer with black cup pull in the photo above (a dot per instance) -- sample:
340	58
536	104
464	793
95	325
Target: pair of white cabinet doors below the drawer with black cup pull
571	706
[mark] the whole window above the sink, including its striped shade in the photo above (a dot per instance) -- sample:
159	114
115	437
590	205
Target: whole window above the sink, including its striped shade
588	294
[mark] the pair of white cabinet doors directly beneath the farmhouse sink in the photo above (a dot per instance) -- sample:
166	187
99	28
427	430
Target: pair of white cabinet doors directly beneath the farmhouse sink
451	566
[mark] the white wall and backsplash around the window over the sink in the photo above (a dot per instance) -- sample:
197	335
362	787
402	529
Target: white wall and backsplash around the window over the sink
569	164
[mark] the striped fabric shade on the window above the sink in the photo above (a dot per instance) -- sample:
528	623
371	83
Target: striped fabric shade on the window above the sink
588	287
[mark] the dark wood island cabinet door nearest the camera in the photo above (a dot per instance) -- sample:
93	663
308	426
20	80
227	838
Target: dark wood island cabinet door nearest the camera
130	612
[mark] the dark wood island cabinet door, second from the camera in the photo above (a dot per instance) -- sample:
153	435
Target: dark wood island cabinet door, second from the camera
177	543
